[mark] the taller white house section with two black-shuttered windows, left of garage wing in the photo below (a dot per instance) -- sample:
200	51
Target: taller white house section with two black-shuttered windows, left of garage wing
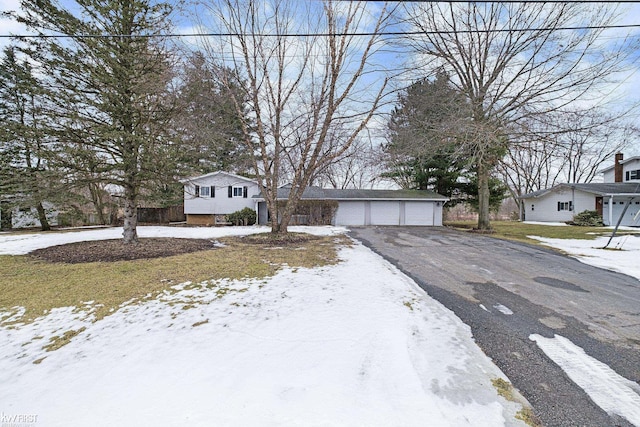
209	198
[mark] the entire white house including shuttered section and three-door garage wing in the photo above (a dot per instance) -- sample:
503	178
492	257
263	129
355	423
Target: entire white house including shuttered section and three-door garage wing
208	198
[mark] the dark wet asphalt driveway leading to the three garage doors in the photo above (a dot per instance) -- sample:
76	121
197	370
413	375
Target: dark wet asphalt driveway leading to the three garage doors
548	293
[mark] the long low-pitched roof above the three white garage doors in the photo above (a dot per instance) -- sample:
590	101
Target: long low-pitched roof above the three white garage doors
318	193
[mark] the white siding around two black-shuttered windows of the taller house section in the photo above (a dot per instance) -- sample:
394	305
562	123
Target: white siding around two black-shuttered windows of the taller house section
220	204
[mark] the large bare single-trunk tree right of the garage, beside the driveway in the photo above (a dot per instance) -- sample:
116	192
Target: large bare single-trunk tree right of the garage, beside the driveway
513	65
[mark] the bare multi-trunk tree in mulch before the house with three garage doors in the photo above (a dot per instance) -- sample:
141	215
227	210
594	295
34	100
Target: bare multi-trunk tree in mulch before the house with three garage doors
305	75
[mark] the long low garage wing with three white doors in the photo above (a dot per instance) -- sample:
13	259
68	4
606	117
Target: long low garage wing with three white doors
370	207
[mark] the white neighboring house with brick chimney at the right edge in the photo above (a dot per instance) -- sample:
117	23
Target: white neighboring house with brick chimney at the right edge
562	202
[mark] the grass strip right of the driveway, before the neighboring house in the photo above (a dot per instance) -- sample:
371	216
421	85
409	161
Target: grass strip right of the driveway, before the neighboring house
515	230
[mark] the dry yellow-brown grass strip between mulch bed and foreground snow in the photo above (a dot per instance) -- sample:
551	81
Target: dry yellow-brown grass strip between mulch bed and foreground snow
39	286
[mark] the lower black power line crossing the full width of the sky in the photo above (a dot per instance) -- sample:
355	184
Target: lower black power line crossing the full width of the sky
306	35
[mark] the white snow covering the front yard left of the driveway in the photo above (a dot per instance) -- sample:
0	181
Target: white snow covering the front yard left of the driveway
357	343
